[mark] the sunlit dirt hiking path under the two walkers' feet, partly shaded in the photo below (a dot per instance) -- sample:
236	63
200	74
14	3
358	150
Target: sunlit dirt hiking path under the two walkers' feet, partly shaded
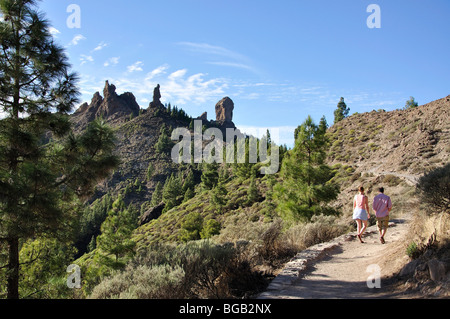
338	269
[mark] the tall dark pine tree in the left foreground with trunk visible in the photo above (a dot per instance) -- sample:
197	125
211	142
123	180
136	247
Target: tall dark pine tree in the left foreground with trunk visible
39	181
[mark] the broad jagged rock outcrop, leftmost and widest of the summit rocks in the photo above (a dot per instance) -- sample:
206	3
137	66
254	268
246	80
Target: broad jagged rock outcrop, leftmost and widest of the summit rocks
111	107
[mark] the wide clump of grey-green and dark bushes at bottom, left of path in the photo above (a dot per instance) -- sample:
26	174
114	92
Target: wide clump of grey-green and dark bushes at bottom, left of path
198	269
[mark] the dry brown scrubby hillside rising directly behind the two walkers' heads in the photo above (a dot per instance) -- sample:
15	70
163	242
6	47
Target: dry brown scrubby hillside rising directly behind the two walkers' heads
390	149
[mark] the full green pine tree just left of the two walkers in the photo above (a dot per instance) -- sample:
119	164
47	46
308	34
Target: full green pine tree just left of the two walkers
306	187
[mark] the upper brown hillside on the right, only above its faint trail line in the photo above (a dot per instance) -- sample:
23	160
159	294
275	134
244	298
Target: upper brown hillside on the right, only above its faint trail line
407	142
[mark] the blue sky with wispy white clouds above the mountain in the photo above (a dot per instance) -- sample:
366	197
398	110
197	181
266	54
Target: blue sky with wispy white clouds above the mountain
278	60
